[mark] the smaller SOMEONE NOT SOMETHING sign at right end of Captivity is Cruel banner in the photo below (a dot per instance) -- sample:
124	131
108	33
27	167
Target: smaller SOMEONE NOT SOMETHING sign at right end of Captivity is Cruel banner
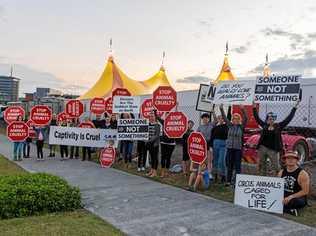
132	129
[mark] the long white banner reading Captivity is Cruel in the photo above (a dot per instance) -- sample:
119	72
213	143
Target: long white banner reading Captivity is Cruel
83	137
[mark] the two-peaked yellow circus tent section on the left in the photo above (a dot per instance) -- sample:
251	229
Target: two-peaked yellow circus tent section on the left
112	78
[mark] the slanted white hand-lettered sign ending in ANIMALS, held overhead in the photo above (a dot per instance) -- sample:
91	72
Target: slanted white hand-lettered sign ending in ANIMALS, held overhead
235	92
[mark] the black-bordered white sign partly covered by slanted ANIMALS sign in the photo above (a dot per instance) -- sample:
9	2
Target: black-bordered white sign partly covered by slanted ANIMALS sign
204	101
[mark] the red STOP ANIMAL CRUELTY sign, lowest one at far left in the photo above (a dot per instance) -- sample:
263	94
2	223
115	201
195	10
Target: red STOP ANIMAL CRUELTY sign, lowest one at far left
17	131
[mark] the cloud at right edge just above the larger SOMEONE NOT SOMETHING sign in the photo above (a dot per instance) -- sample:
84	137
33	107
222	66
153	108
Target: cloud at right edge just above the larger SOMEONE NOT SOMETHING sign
304	64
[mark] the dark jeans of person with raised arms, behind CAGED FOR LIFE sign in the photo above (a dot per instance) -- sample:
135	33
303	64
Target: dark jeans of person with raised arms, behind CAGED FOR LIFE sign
233	157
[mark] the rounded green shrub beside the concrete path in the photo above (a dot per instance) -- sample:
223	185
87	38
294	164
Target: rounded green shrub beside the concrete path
33	194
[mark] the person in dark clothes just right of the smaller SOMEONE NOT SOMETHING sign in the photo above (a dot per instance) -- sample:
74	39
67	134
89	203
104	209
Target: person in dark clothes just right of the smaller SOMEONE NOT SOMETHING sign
153	144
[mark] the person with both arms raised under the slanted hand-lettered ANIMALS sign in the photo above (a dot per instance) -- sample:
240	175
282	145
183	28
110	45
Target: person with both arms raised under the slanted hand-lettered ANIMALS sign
234	142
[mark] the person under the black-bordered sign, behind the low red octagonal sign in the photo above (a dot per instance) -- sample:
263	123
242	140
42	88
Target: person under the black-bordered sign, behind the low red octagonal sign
206	128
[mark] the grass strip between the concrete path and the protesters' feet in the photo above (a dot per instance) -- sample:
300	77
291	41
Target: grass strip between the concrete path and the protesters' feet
218	191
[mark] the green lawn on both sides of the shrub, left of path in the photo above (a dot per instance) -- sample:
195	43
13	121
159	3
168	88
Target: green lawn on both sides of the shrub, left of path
76	223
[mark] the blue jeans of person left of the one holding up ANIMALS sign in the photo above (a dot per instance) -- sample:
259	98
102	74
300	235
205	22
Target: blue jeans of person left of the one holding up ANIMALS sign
219	156
